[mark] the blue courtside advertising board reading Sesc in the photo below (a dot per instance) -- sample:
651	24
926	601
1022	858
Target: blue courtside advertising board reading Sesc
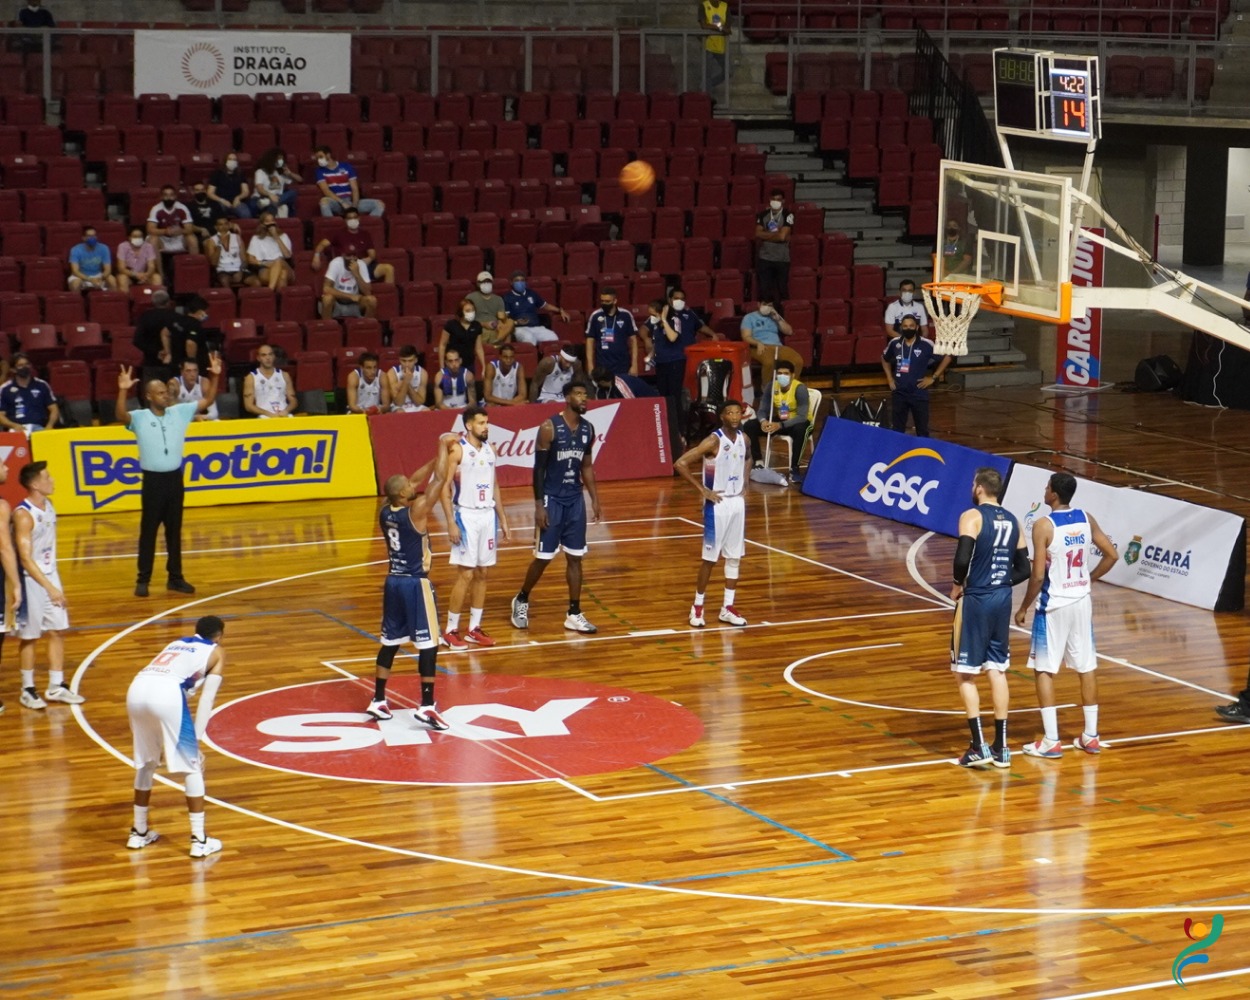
917	481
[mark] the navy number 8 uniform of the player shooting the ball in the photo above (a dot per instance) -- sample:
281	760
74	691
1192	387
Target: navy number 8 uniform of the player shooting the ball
409	613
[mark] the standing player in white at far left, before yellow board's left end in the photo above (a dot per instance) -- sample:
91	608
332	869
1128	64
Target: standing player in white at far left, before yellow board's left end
44	613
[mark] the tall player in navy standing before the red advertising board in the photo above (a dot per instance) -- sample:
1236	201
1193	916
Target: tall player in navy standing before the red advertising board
562	464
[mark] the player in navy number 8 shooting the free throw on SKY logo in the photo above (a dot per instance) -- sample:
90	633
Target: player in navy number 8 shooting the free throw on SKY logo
409	613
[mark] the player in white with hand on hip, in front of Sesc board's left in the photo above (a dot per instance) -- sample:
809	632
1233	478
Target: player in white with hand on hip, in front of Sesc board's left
723	454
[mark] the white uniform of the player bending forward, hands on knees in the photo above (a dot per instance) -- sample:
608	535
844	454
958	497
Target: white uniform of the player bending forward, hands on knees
161	719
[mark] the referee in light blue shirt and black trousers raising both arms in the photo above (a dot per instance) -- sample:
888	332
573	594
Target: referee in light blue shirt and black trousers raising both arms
161	432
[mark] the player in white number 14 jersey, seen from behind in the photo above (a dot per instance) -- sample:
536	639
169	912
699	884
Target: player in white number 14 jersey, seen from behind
1063	622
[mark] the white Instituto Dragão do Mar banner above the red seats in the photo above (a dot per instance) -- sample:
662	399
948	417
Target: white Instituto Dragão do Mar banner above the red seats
217	63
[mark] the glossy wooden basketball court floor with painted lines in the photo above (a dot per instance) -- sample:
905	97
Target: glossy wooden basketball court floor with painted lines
767	812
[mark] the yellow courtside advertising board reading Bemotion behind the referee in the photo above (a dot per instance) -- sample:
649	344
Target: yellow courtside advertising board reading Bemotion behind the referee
227	462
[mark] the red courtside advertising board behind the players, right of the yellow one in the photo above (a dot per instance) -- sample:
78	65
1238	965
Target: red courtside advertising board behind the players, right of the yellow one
632	439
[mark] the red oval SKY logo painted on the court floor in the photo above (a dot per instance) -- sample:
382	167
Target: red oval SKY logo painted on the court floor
504	729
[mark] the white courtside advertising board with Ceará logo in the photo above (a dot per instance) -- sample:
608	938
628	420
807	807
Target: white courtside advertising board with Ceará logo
1168	548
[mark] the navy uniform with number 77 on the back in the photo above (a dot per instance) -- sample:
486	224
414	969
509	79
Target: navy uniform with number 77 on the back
984	621
